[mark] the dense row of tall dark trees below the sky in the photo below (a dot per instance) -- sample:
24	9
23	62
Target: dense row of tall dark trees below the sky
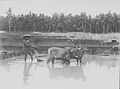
102	23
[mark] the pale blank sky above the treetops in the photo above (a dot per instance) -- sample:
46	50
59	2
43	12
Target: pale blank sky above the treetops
48	7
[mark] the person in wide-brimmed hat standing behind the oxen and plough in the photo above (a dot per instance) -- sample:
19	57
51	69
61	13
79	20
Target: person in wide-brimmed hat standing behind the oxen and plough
27	46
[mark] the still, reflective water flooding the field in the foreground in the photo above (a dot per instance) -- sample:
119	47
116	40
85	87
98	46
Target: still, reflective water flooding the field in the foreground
95	72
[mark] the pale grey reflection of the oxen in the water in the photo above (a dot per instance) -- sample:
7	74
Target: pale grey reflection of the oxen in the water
67	72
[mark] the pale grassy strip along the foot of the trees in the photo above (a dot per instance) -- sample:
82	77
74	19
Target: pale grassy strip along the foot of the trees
74	35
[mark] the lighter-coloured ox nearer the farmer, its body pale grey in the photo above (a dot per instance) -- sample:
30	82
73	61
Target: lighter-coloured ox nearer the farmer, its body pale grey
58	54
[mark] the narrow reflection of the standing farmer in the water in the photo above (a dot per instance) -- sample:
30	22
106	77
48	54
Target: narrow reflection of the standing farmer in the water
26	72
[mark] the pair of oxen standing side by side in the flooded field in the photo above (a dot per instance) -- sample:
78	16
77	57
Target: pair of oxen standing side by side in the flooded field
66	54
